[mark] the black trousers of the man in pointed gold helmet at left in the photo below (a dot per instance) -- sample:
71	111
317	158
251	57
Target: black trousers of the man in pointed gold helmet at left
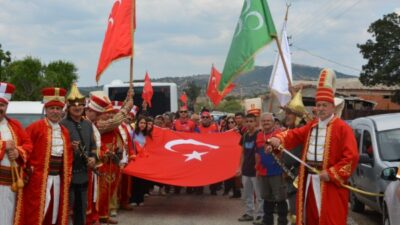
78	202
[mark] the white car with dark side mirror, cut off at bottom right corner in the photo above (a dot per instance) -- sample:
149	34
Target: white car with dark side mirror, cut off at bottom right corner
391	201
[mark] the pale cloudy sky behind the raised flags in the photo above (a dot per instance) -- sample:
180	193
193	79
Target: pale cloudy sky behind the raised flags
184	37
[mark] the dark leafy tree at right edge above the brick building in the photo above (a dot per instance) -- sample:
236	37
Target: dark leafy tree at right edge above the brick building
383	53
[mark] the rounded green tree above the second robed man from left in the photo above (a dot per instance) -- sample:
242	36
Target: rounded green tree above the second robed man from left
60	74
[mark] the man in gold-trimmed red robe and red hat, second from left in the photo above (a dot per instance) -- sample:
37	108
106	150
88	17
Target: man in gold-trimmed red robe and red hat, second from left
46	196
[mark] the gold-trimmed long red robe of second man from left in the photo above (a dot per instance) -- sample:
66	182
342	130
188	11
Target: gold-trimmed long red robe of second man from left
34	193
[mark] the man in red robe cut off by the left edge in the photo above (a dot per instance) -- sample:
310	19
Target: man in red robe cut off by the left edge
15	146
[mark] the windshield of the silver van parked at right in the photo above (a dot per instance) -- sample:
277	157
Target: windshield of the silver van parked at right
389	144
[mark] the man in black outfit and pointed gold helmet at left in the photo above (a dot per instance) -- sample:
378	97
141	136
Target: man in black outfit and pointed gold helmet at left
84	145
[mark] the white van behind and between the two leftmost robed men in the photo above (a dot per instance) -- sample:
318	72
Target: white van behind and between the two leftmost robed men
25	112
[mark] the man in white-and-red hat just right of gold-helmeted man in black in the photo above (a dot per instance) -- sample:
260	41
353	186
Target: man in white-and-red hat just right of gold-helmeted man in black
96	106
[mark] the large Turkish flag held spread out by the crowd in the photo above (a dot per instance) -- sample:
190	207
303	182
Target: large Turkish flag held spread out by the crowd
187	159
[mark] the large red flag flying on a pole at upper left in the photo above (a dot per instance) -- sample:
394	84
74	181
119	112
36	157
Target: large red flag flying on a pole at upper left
119	35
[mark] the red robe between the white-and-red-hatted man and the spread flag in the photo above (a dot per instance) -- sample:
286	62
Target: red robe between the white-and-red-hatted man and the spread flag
110	172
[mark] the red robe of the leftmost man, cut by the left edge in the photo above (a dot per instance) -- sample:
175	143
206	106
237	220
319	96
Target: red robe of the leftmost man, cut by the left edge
24	147
